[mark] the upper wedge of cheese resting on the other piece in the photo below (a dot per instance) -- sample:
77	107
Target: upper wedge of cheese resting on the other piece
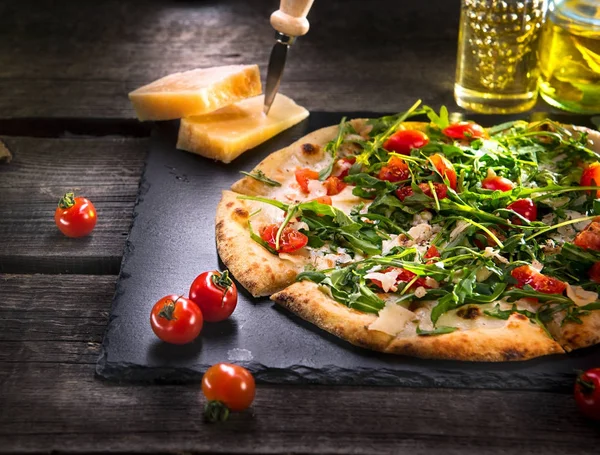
195	92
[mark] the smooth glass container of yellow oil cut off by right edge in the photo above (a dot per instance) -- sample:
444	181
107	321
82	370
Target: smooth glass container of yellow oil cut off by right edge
570	56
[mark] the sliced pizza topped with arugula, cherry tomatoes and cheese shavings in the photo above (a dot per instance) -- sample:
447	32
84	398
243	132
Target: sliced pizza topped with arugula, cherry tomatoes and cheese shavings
430	239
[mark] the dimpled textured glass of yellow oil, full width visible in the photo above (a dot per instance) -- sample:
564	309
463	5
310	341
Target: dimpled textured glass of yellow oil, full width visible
496	70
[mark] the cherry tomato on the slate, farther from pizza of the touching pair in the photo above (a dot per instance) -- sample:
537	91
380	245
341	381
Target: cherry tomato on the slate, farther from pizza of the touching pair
176	320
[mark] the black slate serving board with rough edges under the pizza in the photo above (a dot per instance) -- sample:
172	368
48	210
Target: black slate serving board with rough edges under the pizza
172	241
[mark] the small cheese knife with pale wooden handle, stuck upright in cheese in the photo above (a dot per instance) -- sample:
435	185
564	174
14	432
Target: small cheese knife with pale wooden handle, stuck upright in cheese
289	22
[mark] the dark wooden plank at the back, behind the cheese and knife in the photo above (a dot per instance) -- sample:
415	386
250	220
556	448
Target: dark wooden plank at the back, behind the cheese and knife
379	55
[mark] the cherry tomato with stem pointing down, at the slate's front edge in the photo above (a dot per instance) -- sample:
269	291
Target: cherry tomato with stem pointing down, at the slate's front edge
227	388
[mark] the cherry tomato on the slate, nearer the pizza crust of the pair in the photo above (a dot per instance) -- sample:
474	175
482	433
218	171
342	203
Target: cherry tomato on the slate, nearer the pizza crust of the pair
215	294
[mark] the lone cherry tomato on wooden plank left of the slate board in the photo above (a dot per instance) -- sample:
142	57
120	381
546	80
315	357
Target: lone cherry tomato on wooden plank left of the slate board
75	216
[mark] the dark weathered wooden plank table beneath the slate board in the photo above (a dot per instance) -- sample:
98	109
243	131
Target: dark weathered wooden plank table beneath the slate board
65	70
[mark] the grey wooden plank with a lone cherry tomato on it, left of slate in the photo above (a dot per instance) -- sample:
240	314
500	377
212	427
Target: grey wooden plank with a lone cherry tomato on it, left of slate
106	170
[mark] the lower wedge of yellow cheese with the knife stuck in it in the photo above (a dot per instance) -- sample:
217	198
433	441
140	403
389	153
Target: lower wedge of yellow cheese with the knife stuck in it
227	133
